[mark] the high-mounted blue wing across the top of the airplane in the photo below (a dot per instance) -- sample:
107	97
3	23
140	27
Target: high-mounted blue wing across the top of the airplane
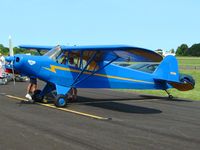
109	52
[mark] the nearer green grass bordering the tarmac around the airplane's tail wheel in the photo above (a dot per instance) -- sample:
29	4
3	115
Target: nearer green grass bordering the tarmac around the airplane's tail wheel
192	94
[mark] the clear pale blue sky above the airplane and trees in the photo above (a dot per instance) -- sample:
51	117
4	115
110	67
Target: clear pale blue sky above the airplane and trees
150	24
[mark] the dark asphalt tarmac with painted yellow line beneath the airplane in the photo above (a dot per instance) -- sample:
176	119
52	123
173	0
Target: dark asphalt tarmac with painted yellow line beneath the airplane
123	121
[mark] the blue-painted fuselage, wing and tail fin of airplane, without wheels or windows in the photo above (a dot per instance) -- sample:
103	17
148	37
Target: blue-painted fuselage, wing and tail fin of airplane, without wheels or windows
63	77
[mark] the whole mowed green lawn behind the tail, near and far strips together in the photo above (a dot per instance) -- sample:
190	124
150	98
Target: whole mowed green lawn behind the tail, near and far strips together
192	94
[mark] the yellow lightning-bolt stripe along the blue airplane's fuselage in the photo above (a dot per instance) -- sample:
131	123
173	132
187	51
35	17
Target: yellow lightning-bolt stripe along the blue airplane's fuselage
53	68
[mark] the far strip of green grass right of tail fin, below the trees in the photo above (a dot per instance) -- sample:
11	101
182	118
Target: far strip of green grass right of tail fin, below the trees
188	61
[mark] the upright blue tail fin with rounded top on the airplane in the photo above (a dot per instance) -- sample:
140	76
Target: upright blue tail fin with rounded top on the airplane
167	70
